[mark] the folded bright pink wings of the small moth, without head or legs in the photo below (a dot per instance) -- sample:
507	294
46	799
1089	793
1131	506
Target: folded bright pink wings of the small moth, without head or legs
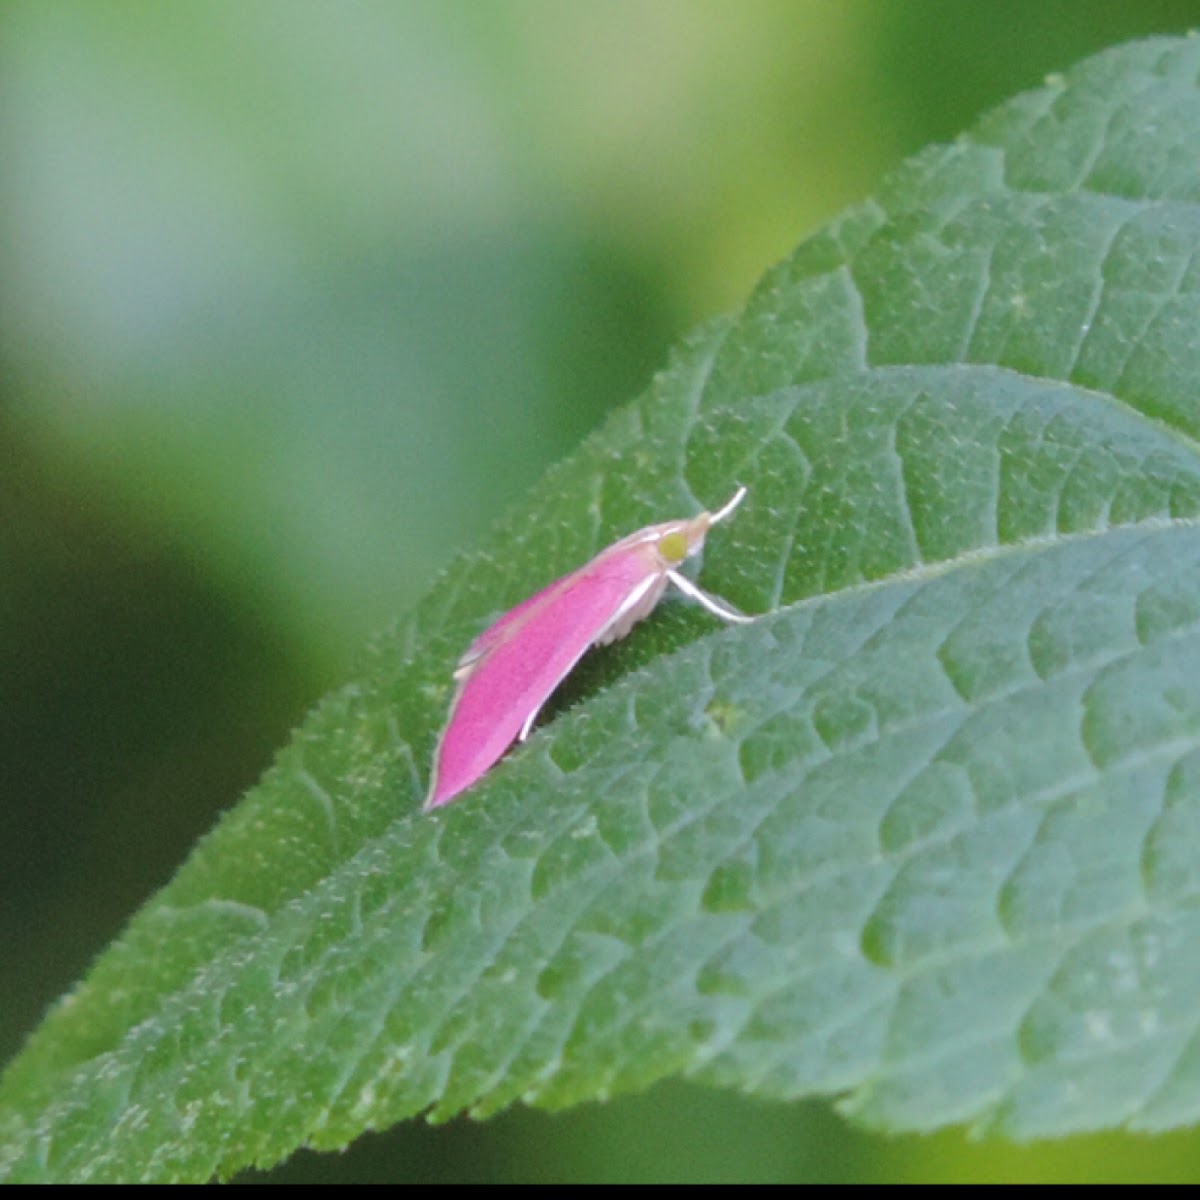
517	663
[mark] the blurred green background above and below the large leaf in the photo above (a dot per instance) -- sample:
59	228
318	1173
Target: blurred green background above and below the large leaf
295	297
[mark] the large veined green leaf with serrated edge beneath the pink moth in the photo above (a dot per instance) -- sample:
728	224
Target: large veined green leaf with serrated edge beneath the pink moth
925	836
